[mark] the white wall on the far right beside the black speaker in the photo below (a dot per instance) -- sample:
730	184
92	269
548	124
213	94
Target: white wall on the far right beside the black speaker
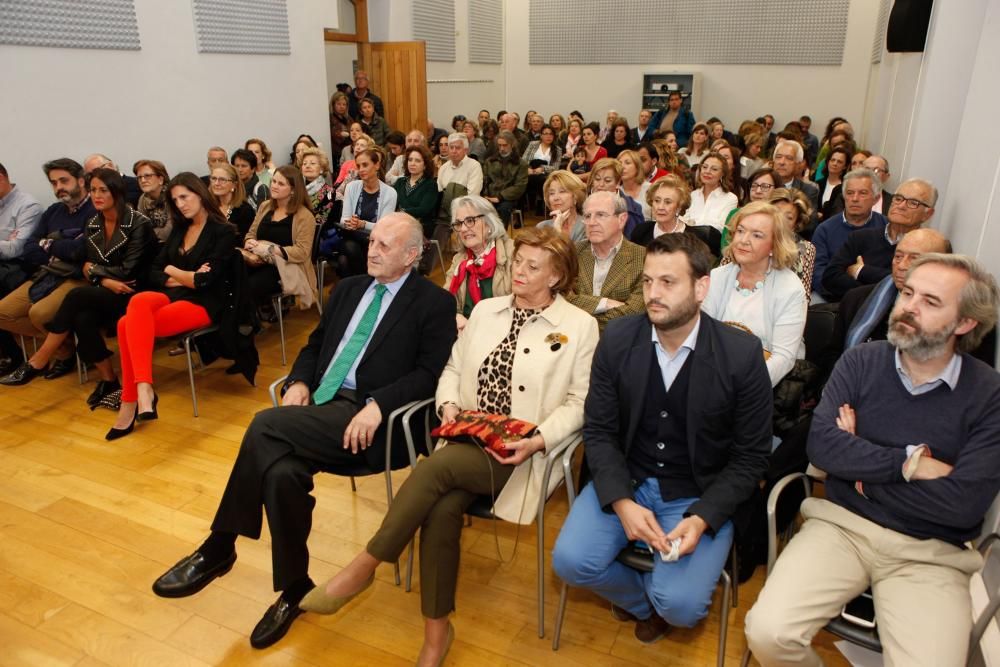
930	116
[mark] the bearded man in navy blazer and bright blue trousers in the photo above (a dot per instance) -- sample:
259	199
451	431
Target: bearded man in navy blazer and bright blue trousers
678	431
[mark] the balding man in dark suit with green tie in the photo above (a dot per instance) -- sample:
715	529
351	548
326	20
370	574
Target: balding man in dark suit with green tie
383	341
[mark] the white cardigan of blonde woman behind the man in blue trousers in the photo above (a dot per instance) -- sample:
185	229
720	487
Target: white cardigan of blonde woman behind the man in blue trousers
784	319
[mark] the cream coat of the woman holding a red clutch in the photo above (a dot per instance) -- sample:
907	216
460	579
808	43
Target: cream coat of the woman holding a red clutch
548	386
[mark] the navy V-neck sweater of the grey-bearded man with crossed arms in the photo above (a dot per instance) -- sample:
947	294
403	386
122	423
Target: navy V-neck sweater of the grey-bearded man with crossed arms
961	427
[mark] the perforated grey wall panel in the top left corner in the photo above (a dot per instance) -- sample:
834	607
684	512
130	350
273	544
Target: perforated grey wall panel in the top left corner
75	24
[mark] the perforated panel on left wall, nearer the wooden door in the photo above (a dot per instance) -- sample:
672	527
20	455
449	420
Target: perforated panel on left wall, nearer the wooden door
242	26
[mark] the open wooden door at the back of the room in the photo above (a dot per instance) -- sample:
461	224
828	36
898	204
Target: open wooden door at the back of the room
397	72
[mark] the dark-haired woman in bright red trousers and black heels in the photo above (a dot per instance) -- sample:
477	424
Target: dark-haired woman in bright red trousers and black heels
189	275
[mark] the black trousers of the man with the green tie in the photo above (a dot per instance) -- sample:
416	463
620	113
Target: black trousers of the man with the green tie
281	451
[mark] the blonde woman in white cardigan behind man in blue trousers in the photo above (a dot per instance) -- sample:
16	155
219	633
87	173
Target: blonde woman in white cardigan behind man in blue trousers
758	291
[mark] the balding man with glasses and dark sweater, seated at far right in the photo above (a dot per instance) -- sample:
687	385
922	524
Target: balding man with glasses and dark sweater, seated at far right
866	256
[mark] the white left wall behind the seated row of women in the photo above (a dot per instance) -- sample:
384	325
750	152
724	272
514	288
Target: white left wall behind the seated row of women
166	101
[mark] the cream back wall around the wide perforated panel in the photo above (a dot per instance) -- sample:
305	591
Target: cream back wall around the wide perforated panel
732	92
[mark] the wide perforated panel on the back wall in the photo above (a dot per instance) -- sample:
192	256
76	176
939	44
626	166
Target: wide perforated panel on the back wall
709	32
